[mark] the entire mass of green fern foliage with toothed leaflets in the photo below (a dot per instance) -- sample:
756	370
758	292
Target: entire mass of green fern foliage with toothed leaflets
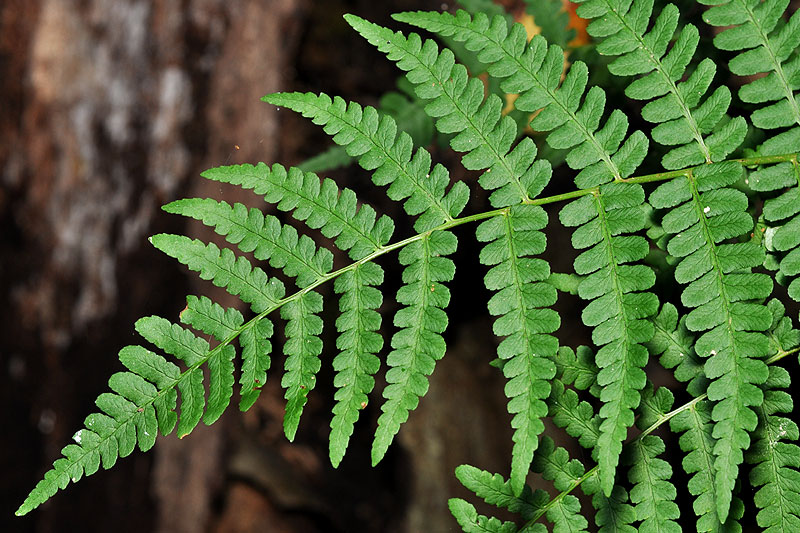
677	256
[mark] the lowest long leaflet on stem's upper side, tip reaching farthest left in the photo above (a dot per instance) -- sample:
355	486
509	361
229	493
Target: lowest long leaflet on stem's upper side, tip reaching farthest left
224	269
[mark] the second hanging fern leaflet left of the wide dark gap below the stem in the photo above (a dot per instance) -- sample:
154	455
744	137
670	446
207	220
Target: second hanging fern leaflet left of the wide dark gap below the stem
358	343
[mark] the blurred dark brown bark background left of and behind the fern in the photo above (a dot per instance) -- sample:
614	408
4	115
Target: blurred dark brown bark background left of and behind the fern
111	108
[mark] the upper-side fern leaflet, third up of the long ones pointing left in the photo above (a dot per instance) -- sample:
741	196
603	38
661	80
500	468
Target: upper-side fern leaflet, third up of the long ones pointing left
321	204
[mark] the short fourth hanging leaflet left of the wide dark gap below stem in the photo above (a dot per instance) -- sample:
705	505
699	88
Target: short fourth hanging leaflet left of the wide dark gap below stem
256	348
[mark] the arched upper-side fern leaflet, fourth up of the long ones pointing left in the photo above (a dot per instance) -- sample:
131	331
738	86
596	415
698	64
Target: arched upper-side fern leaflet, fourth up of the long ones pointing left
374	139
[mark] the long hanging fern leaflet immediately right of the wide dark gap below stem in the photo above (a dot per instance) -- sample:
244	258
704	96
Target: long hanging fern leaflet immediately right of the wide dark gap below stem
522	302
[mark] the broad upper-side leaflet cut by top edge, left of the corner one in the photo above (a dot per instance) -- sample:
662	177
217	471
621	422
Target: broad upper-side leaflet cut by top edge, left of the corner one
701	131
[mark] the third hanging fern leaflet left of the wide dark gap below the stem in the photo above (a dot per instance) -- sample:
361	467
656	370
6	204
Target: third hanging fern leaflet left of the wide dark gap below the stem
302	348
